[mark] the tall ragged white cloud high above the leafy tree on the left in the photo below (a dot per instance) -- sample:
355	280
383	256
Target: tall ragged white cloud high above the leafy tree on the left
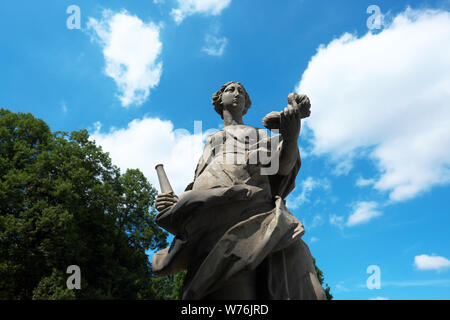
131	49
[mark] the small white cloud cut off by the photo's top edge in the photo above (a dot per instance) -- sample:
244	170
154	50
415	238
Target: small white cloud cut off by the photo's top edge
190	7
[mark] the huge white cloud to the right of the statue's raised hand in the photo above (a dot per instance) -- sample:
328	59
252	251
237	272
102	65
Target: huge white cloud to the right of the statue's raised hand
386	94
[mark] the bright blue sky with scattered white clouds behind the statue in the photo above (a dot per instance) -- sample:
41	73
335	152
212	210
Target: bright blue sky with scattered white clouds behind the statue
374	184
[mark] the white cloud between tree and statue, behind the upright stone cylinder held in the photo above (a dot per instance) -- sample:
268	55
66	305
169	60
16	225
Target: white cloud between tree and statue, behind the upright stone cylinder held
147	142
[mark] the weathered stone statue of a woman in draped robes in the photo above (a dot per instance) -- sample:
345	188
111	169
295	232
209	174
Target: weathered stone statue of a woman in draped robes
233	233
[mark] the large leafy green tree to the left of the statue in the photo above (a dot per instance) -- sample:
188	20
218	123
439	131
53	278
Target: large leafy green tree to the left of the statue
63	202
